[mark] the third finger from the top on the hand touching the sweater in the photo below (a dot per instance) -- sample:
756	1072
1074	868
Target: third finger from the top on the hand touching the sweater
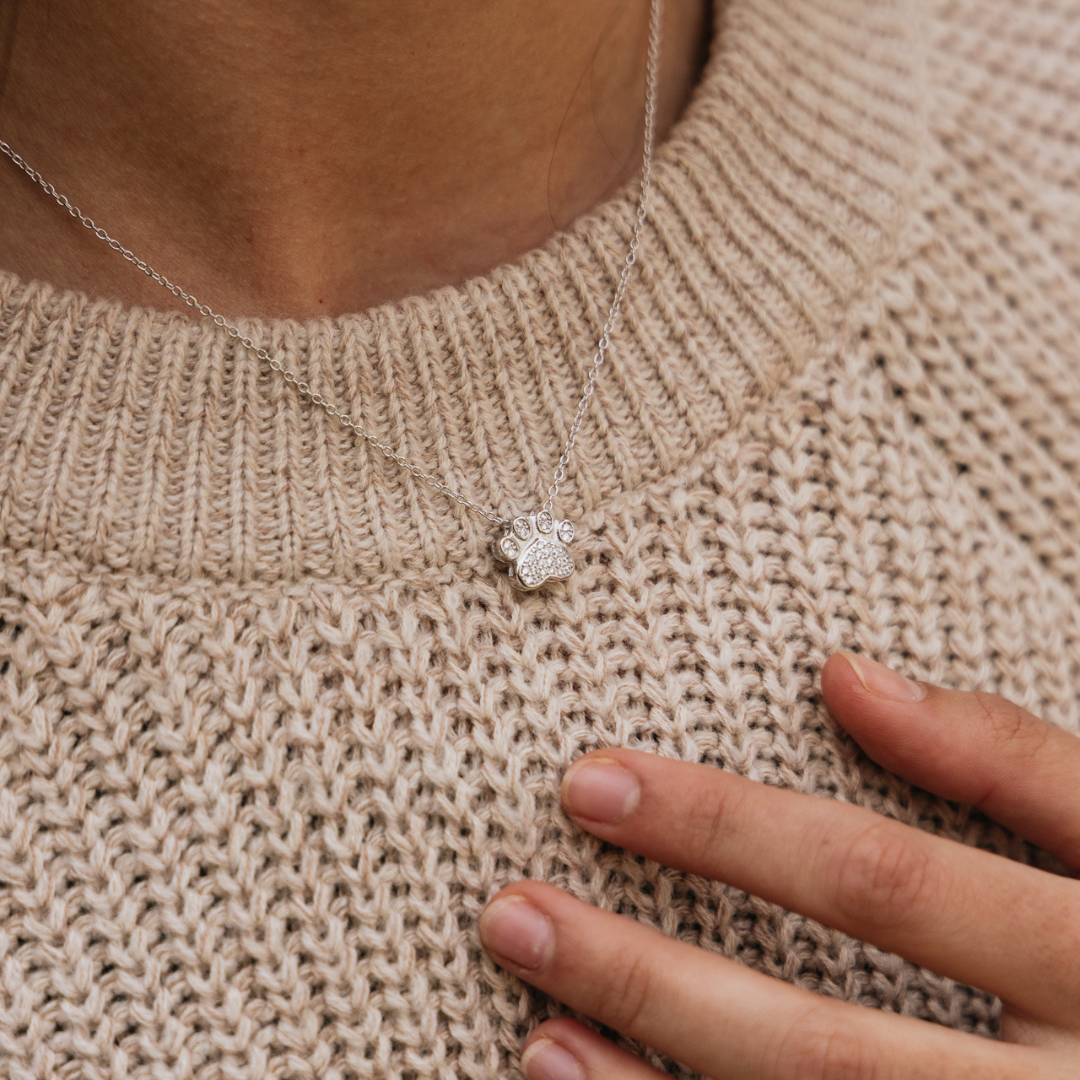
715	1016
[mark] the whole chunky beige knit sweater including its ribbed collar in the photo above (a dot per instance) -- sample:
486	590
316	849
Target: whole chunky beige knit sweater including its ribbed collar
272	734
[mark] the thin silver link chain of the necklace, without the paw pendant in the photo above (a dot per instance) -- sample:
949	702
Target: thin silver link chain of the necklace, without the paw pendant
652	80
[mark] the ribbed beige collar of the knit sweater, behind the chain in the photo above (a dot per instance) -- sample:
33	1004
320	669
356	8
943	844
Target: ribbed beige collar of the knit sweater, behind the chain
146	441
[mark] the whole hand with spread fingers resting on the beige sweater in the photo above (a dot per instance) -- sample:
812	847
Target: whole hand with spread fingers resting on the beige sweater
990	923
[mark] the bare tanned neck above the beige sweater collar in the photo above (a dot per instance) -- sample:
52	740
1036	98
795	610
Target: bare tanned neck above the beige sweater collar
314	158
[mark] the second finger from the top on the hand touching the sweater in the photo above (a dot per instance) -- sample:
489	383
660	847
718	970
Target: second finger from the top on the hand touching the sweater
964	913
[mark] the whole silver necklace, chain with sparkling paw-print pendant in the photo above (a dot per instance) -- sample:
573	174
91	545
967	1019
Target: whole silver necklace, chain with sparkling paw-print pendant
533	547
